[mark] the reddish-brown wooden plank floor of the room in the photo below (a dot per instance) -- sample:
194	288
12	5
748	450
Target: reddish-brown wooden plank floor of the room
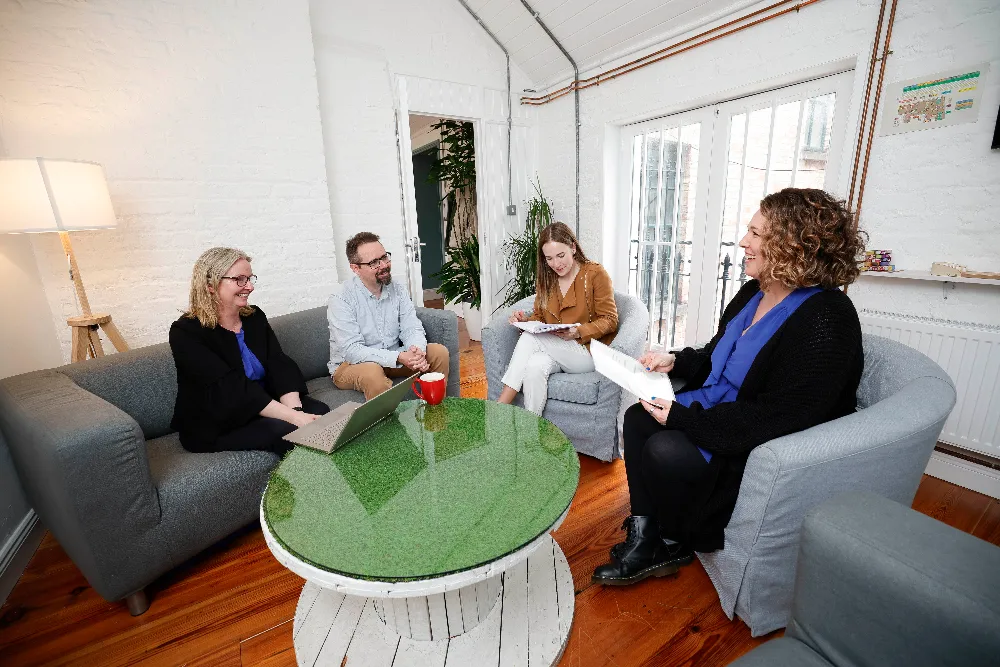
233	604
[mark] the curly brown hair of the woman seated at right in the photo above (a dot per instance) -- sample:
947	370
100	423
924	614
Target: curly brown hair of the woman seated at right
810	239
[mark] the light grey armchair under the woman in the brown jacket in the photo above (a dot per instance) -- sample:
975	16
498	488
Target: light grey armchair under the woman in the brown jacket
586	406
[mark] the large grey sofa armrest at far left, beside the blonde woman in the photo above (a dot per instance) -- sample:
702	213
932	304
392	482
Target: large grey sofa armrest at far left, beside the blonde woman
83	465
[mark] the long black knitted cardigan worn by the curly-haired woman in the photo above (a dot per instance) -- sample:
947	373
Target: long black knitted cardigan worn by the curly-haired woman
806	374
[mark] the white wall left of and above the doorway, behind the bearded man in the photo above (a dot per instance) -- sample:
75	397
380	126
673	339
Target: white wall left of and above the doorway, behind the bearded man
358	54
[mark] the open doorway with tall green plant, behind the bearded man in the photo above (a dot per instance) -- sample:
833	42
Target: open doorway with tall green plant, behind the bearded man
444	185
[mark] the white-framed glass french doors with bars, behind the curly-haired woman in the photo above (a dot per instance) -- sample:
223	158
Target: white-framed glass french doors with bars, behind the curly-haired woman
695	179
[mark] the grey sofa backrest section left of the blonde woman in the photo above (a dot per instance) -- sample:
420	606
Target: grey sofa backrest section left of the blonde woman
141	382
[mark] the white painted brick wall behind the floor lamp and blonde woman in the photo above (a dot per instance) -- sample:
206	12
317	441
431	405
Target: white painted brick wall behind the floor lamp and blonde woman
205	116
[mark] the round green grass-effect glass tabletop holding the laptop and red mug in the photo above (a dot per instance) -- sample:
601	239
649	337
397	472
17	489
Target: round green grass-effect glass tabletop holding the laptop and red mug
434	489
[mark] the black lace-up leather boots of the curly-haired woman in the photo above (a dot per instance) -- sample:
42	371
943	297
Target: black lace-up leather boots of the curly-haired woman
642	554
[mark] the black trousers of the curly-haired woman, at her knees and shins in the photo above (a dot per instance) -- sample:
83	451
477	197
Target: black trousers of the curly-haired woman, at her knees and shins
668	478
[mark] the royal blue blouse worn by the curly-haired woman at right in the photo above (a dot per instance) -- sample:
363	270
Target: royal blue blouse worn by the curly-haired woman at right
736	351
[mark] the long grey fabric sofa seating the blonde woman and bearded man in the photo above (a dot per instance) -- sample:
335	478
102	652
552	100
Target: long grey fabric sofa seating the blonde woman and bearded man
95	454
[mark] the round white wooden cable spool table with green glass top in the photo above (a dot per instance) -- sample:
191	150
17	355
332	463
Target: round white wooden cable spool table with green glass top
426	541
